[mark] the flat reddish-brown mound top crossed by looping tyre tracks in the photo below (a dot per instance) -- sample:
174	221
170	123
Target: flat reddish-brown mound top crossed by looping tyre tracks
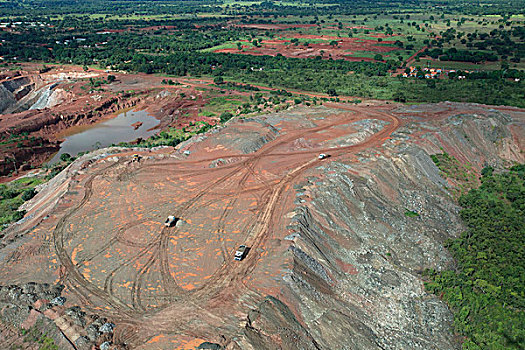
113	252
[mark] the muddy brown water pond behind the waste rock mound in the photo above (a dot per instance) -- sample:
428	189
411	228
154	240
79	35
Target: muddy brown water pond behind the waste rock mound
106	133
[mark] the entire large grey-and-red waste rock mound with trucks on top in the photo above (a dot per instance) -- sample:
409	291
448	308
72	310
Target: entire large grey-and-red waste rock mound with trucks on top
333	261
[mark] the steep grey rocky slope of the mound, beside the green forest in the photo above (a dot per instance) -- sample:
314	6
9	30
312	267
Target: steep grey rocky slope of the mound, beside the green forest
356	259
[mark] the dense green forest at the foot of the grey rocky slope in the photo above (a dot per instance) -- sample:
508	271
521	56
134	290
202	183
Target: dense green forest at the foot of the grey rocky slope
486	291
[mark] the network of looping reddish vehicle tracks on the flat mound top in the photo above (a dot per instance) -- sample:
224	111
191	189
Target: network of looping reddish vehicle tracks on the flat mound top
228	276
